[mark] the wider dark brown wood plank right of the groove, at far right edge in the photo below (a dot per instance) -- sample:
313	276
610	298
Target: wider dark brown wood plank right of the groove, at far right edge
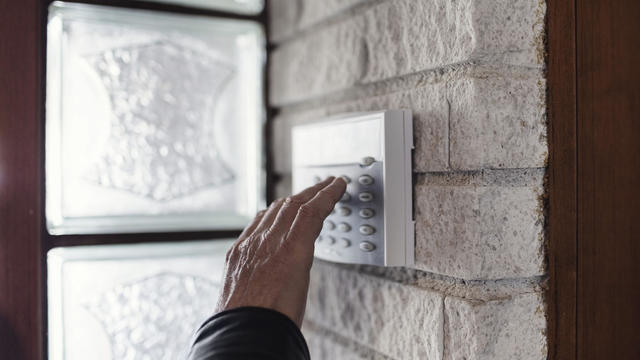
608	35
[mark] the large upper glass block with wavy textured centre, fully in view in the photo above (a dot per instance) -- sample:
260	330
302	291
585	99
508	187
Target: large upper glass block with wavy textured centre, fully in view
154	121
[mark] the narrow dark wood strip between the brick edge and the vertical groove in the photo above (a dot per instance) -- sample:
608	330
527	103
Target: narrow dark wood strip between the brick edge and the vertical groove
562	223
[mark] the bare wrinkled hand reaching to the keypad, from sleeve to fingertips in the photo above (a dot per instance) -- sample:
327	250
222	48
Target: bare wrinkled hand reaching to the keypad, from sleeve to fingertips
269	264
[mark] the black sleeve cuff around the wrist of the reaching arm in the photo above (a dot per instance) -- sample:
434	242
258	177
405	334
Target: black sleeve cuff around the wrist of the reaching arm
249	333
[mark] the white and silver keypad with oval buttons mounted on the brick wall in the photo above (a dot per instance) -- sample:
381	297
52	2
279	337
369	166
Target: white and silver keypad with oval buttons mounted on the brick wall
373	221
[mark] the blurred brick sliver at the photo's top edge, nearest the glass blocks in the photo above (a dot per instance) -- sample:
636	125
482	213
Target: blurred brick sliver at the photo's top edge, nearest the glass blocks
289	16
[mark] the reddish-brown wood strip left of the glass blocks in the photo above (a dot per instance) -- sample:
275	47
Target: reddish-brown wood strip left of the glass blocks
21	320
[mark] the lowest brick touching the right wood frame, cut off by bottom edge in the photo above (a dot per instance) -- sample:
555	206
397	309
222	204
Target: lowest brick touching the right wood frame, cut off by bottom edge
496	330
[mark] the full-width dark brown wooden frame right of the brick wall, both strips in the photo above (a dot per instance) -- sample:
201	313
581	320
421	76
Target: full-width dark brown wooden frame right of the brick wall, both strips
594	176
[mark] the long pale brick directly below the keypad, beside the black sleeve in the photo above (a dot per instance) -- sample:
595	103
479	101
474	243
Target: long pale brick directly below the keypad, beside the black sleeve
400	321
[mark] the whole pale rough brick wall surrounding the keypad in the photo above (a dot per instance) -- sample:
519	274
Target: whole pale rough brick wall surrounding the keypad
472	72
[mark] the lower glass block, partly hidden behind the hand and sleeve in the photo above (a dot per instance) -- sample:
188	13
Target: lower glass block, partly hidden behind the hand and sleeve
131	302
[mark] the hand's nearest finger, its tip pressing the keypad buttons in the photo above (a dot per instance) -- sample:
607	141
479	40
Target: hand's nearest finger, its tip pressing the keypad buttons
308	222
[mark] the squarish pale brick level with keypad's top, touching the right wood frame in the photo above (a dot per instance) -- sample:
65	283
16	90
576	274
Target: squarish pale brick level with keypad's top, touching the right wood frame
498	122
